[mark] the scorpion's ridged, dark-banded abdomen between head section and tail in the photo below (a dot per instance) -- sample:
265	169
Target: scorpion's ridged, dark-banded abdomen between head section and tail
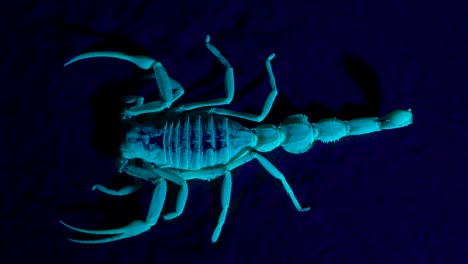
197	141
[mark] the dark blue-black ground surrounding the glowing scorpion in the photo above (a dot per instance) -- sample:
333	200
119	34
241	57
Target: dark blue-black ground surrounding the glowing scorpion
397	196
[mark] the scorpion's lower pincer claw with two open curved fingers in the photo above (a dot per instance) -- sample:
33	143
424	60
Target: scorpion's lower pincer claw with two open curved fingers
133	229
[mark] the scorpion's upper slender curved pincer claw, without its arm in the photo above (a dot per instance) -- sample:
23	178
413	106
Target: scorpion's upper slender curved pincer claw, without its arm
142	62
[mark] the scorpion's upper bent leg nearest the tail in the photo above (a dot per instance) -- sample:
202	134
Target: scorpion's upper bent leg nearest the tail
266	106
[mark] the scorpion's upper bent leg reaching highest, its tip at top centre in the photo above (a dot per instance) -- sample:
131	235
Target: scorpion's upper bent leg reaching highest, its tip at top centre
228	83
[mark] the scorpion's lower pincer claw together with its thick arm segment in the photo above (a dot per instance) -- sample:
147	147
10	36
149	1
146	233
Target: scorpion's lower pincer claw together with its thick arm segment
136	227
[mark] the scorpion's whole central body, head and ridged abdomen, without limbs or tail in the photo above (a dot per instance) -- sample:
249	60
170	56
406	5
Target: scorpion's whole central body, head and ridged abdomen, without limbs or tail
189	142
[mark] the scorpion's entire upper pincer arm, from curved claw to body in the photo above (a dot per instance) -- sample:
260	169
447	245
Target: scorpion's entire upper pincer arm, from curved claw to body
166	85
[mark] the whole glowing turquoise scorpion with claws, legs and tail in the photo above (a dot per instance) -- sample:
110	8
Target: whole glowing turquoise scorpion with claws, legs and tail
199	141
